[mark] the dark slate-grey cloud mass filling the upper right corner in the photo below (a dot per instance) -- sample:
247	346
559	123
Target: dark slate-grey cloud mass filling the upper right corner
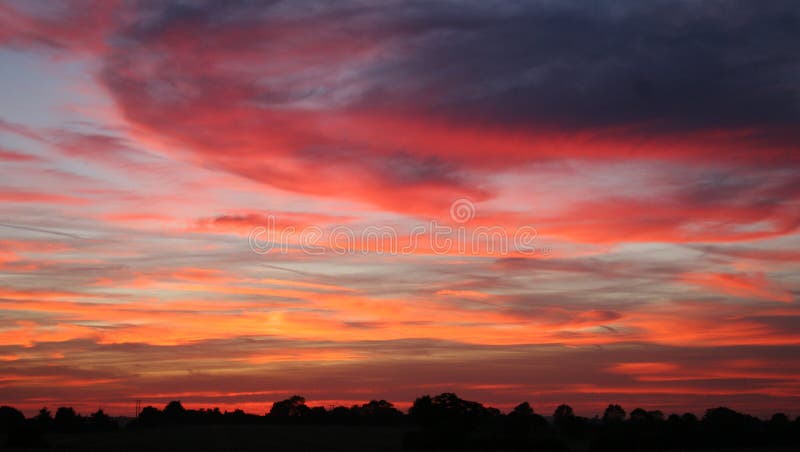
675	65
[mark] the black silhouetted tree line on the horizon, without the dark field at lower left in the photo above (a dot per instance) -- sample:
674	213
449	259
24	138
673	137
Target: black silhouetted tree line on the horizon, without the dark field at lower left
446	421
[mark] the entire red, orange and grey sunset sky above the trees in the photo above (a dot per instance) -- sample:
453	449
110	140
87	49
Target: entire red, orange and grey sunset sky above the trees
228	203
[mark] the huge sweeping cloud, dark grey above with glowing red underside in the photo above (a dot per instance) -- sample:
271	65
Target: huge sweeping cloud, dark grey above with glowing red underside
380	120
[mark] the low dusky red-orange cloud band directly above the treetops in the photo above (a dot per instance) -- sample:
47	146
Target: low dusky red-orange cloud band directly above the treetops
544	375
